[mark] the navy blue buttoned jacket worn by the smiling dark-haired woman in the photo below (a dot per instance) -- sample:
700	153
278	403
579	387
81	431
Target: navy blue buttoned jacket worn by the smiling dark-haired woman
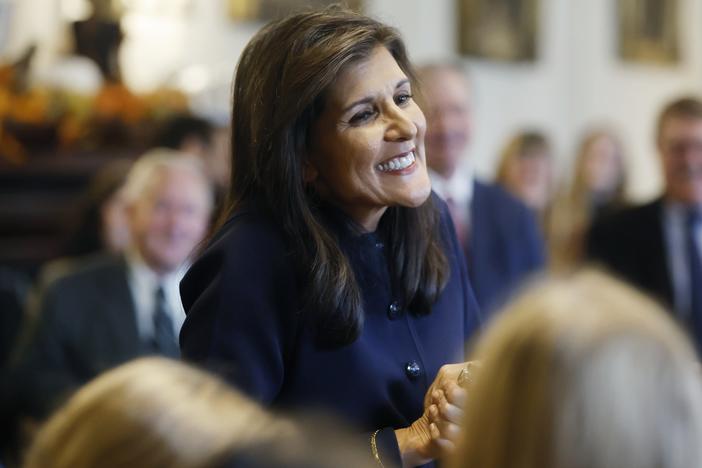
245	321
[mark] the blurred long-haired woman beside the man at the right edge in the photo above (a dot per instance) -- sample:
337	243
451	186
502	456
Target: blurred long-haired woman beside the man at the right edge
596	188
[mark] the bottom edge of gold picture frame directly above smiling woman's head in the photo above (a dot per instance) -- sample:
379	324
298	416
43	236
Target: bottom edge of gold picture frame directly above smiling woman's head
265	10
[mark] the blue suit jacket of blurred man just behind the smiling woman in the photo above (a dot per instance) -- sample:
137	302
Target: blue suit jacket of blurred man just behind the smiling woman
505	245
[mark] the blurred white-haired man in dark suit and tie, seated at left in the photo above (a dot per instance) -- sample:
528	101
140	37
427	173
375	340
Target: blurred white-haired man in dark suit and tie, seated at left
110	309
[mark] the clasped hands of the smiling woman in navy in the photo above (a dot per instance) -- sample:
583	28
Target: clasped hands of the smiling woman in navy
435	433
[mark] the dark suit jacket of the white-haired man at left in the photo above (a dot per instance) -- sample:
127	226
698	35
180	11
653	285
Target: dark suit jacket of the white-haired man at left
86	324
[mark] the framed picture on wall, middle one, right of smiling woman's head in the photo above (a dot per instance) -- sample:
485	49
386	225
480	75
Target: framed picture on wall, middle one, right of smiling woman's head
505	30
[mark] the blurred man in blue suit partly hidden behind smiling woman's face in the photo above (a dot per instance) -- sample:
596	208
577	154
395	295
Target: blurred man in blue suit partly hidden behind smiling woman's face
500	237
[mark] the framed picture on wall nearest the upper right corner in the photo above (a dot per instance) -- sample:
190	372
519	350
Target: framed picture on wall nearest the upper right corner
648	31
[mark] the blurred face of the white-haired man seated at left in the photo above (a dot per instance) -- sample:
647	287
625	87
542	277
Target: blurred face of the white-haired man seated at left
170	218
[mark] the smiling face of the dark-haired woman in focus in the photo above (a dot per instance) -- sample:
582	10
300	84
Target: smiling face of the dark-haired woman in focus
367	147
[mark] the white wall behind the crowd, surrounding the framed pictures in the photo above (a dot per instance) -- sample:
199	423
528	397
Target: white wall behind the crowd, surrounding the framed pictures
577	81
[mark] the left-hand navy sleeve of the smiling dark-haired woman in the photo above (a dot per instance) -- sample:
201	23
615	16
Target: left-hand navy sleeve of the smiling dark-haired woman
241	303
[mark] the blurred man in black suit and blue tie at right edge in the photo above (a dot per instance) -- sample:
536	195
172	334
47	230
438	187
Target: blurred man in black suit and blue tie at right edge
657	246
